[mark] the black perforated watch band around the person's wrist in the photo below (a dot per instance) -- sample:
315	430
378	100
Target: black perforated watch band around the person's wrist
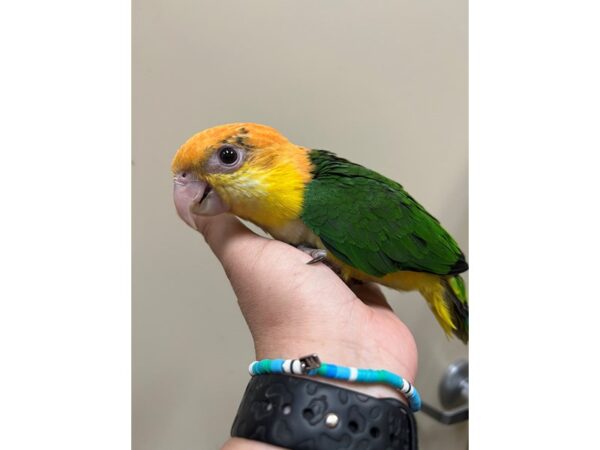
303	414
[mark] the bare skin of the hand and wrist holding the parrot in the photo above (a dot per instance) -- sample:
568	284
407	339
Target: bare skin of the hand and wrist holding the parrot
294	309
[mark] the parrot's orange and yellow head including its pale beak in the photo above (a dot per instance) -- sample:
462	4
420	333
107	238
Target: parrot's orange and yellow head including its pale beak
247	169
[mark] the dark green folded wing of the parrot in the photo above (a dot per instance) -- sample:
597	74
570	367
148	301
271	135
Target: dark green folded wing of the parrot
372	224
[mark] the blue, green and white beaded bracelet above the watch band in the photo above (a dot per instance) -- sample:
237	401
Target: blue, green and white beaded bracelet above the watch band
311	365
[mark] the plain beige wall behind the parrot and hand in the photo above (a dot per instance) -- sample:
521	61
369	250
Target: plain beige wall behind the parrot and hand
383	83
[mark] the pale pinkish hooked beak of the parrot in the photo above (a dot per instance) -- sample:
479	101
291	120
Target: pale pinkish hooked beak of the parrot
195	197
